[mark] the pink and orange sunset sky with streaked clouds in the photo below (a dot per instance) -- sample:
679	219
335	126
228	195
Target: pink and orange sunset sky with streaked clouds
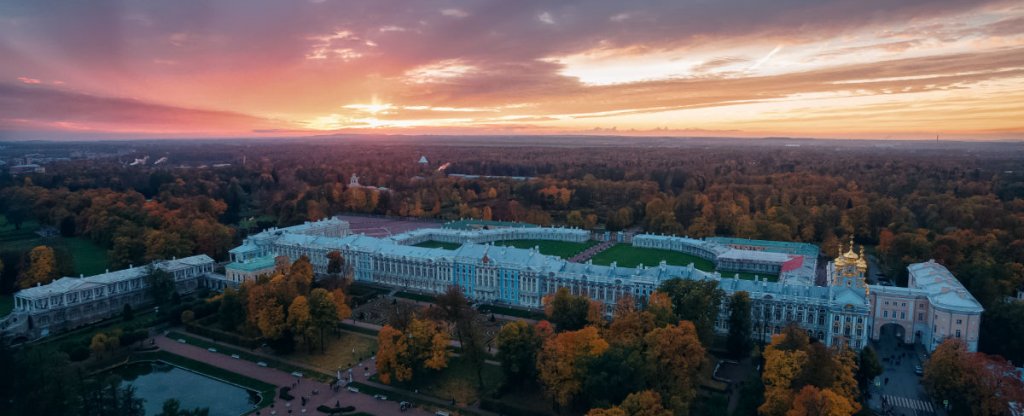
849	69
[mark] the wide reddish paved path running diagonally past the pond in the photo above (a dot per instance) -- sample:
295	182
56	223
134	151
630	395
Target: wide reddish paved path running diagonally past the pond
304	388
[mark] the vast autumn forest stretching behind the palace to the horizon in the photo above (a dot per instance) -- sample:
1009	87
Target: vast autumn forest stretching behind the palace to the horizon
962	204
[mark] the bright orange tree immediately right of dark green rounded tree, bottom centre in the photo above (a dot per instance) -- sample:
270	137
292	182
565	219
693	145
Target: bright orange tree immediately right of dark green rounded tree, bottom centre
564	359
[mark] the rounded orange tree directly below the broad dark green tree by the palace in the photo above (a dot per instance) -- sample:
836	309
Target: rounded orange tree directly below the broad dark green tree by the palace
674	357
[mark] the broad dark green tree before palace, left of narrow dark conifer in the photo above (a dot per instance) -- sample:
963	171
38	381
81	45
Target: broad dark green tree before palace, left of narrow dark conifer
697	302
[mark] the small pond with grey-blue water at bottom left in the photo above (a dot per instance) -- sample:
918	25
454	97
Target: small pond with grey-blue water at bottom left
158	382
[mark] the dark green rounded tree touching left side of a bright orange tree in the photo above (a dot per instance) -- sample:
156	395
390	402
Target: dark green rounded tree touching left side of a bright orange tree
518	348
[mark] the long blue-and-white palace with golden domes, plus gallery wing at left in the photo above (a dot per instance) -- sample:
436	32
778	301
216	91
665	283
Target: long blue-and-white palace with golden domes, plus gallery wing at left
846	311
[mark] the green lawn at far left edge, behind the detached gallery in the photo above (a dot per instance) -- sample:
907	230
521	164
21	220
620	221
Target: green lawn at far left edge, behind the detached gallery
89	258
